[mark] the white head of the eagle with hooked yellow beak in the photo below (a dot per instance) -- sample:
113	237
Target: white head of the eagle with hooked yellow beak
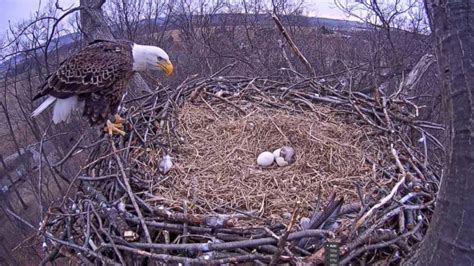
151	57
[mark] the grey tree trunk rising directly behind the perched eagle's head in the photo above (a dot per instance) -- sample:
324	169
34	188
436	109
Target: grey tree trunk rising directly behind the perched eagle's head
94	26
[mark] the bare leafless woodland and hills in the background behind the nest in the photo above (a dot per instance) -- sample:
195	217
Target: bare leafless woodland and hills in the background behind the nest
376	53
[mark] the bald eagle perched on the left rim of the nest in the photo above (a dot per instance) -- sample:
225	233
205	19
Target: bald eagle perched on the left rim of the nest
96	77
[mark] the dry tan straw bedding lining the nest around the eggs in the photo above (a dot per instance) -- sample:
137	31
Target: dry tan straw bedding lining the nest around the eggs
216	171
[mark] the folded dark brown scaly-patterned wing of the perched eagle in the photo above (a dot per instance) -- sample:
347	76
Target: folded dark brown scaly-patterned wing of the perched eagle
97	66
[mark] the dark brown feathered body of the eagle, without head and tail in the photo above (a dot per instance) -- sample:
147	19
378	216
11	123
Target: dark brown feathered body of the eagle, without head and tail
98	75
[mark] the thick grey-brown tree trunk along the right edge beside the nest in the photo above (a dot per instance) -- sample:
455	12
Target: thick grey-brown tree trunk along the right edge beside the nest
450	237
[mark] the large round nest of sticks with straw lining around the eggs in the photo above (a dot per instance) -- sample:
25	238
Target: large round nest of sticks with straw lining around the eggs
361	178
